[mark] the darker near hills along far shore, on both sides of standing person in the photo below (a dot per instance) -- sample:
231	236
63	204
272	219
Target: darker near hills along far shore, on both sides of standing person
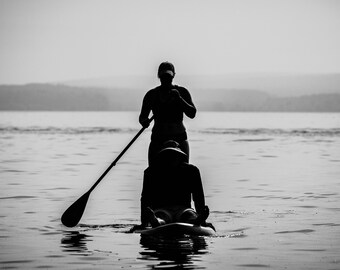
58	97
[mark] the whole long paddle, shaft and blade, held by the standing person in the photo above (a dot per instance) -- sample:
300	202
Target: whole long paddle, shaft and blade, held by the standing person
73	214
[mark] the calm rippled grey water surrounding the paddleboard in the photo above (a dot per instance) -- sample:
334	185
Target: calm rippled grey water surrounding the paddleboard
272	182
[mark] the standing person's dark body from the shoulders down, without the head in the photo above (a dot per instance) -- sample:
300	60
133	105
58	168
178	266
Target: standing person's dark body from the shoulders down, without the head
168	117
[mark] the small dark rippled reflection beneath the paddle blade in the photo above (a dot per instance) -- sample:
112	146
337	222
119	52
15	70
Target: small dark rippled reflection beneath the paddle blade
74	241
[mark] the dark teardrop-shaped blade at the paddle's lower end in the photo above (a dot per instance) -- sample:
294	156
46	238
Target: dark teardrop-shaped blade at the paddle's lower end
73	214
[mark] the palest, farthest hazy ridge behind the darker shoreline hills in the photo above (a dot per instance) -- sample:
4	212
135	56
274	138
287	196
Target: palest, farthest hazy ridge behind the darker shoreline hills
280	85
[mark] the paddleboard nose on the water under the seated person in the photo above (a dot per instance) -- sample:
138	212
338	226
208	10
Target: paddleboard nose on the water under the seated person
178	229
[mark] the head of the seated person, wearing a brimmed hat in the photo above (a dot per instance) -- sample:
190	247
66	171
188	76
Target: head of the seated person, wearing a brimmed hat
171	154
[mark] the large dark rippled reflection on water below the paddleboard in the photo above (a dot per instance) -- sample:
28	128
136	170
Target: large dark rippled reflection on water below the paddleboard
173	253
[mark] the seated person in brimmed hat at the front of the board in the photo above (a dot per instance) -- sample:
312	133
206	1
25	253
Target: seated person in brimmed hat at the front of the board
169	185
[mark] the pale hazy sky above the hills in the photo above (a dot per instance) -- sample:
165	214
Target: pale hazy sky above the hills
57	40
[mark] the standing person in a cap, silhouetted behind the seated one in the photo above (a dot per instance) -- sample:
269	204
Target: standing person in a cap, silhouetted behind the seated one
168	103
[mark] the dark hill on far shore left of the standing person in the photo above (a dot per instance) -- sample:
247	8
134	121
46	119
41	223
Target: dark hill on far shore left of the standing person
59	97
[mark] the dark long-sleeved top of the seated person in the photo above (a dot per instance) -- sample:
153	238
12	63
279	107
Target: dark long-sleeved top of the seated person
172	189
